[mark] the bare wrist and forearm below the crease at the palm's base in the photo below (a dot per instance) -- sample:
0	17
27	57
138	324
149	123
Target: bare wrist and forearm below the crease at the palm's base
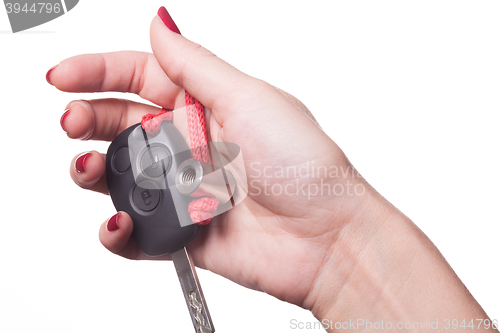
382	267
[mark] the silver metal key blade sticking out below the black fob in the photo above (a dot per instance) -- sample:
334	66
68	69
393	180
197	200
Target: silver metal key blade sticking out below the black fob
192	292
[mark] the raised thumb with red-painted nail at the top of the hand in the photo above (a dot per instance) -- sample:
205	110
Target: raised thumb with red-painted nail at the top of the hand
206	77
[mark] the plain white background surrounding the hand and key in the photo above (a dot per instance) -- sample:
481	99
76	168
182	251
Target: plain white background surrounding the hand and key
409	90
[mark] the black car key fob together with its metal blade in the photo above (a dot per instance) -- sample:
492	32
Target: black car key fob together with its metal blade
141	171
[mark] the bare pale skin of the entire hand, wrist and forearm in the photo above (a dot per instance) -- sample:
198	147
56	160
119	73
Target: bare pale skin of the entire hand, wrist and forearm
340	256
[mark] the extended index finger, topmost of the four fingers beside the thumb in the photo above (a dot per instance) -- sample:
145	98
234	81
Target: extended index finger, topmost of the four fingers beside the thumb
126	71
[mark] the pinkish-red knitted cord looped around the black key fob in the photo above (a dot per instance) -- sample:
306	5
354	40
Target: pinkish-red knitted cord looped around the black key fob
201	209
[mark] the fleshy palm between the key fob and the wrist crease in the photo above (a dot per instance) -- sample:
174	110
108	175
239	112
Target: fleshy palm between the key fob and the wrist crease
270	223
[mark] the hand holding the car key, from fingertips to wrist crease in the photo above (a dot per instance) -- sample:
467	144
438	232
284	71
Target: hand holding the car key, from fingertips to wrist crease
267	241
